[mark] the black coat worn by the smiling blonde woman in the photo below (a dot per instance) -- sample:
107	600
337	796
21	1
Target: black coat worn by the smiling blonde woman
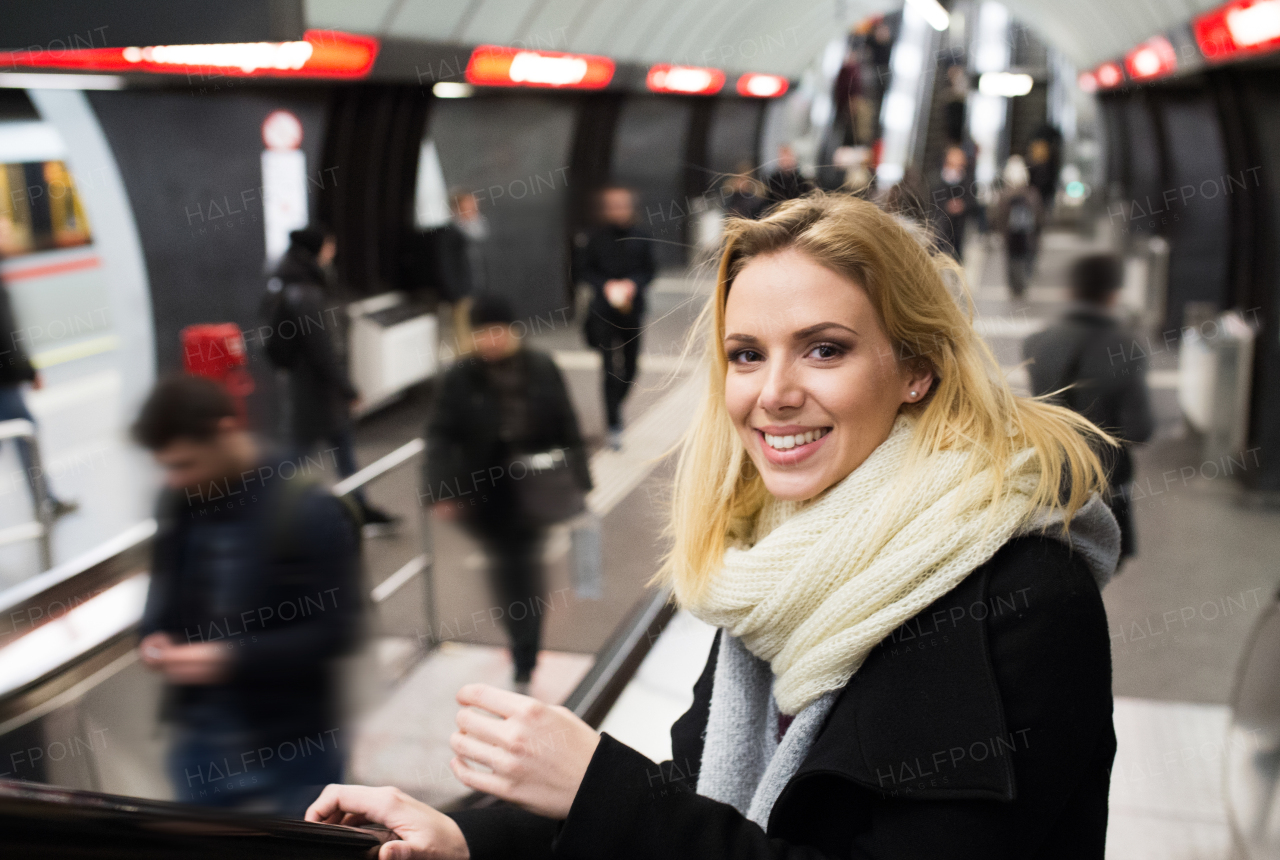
980	729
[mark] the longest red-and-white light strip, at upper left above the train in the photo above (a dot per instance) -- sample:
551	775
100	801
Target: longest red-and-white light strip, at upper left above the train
322	54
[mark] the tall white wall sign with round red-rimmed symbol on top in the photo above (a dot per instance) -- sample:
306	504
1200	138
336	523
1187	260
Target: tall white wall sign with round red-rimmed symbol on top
285	184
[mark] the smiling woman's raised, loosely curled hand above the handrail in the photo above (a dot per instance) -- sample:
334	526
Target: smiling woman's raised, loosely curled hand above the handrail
538	753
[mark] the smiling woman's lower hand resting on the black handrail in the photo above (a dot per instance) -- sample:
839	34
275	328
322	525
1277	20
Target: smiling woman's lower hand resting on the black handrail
422	832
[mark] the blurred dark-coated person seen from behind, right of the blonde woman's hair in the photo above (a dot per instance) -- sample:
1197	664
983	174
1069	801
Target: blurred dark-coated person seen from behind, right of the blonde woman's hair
1087	363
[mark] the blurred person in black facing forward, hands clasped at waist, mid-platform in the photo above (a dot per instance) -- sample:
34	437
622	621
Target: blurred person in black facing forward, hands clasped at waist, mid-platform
618	263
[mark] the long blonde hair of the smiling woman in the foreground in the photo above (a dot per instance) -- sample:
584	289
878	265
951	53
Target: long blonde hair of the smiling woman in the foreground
968	408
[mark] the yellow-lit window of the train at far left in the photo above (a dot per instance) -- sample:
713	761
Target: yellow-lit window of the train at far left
40	209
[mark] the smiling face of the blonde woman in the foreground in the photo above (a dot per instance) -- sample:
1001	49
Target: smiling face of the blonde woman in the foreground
813	383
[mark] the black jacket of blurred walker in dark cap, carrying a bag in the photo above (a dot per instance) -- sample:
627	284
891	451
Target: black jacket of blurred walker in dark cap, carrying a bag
467	460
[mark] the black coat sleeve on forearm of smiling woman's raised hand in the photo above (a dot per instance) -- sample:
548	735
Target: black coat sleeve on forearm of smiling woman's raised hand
629	808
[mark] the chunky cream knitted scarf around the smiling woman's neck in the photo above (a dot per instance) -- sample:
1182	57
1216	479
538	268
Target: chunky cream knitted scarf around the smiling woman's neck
813	596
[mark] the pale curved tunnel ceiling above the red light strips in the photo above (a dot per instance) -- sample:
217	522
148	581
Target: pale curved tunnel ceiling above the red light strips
776	36
